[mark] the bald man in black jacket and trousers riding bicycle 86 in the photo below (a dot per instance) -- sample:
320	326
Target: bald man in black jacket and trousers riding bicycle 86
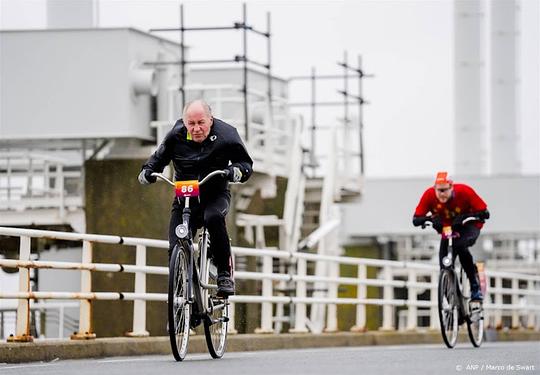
197	145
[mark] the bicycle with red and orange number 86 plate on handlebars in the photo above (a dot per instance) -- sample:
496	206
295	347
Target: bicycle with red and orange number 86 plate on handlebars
192	292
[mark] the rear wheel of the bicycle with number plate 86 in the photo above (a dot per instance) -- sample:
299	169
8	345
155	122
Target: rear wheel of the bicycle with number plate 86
217	322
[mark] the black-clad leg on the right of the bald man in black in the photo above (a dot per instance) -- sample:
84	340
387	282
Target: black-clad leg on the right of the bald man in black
214	219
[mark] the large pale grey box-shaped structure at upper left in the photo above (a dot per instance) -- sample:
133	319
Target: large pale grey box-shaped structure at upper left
79	84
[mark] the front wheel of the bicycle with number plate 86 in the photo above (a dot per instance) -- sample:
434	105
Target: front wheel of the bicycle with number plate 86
178	306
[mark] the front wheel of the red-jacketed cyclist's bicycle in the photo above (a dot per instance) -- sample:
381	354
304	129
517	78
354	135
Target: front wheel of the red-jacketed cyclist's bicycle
448	309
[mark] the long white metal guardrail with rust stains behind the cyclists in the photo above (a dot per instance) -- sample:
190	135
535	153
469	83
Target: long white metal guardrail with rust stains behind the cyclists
521	299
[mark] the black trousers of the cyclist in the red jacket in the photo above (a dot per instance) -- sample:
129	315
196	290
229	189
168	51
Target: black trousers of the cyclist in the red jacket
467	237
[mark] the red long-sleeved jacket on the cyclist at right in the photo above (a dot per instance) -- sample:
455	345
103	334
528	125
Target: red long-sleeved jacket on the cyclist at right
463	200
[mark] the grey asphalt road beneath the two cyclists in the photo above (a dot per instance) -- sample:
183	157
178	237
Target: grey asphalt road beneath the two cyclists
491	358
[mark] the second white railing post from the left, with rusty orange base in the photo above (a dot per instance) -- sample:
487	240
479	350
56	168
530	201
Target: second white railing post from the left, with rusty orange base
85	310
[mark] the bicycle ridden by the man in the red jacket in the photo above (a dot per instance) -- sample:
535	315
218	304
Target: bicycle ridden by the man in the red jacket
454	303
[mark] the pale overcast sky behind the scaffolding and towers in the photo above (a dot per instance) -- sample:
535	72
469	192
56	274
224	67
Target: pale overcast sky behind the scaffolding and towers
407	45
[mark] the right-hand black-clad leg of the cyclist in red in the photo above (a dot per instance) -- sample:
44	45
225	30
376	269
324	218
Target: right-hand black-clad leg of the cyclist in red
468	236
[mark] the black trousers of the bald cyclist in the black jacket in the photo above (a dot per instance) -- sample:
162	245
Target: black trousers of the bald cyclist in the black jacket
211	212
